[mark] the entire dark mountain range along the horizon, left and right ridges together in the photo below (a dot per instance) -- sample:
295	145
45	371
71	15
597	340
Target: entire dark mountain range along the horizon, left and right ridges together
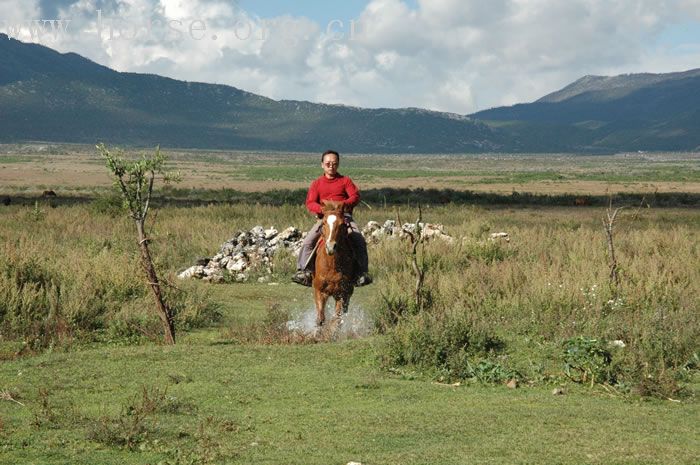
49	96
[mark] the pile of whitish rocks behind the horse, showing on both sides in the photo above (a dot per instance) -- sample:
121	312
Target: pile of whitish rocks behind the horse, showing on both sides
254	249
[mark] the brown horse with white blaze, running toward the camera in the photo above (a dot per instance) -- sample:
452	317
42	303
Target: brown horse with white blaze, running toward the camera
335	272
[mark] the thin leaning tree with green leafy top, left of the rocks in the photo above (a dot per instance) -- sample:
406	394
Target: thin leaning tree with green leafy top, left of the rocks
134	179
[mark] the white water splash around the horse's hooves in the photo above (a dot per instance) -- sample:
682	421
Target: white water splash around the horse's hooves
354	324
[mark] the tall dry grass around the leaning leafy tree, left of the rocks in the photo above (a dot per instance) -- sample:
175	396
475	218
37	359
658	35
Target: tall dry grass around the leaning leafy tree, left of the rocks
71	272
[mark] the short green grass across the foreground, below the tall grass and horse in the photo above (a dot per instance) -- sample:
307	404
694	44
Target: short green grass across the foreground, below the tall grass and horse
312	404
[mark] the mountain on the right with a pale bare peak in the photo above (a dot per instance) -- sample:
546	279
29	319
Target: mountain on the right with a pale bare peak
620	113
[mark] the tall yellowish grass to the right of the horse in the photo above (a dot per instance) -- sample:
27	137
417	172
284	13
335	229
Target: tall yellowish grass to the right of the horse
550	283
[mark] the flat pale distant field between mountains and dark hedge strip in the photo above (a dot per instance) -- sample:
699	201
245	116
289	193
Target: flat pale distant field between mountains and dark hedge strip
77	169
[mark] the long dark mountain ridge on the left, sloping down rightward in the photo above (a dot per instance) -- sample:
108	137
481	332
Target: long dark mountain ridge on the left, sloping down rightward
45	95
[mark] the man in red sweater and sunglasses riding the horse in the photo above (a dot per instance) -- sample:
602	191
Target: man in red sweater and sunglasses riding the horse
332	186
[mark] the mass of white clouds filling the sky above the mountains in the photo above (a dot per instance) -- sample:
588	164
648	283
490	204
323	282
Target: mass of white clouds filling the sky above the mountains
451	55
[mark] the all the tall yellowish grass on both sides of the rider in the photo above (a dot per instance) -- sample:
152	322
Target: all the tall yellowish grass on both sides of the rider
73	271
